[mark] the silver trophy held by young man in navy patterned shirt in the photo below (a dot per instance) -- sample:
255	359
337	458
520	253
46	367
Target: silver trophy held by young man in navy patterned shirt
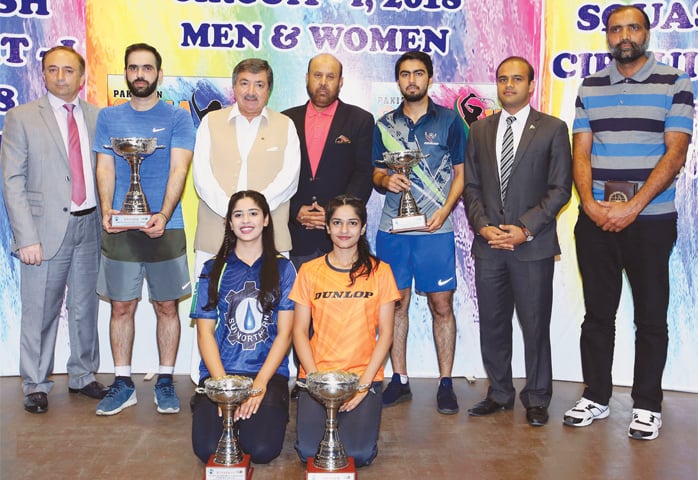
409	218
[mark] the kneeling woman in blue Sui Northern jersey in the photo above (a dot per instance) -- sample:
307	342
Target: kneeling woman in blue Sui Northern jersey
244	320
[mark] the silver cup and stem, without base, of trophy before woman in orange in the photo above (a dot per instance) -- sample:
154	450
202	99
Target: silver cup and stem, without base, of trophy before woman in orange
331	389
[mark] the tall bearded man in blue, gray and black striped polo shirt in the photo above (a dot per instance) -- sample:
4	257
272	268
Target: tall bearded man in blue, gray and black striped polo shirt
631	134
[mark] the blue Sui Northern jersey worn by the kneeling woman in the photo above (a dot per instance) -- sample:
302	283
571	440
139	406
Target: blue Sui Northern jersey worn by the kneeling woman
243	333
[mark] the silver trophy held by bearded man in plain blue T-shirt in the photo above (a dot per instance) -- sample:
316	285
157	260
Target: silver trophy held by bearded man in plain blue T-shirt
135	212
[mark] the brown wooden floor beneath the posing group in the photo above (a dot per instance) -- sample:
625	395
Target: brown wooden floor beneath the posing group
71	442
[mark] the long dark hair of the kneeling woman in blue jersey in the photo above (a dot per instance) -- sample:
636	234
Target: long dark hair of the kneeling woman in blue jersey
269	289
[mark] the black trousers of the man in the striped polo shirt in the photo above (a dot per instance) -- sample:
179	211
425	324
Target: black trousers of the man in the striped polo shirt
642	250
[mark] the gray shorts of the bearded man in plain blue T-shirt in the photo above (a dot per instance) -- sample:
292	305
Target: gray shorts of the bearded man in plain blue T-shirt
123	281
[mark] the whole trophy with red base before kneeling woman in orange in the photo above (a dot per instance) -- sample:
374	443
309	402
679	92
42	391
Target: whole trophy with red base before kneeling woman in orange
331	389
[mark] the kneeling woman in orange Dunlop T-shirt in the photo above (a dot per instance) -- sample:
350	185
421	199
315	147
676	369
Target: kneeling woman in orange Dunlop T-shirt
350	296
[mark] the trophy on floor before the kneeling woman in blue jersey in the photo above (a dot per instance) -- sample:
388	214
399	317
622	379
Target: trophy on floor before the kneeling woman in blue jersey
228	462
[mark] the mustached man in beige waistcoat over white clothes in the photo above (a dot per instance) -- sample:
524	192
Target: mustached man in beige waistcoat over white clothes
244	147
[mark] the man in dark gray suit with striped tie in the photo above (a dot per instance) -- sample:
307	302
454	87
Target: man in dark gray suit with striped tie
518	175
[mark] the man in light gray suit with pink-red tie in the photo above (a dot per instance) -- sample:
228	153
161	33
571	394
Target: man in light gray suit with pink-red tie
55	221
